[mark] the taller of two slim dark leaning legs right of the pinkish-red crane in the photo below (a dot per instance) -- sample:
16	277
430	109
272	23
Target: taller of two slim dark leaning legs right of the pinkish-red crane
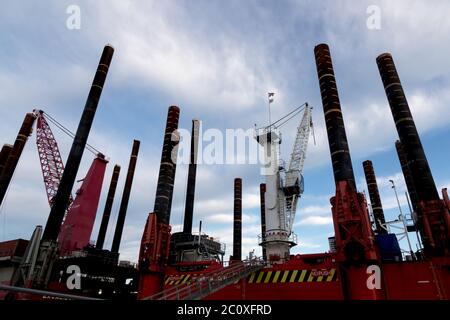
125	197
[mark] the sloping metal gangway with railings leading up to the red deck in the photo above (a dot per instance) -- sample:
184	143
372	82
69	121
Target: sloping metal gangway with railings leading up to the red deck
209	282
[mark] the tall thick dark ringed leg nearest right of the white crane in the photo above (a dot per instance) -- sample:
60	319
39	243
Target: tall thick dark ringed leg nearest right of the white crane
337	138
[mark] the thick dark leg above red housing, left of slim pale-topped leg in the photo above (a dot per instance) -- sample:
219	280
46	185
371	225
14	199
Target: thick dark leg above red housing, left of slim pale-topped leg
167	169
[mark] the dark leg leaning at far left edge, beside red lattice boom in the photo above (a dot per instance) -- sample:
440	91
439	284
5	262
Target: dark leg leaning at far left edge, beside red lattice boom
14	155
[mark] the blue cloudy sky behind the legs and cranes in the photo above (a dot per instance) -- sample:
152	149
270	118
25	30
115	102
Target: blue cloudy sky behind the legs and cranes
217	61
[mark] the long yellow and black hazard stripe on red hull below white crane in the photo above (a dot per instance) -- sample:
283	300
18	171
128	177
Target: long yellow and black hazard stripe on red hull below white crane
288	276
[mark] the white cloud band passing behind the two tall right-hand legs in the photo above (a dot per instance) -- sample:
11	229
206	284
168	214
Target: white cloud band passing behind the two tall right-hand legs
426	108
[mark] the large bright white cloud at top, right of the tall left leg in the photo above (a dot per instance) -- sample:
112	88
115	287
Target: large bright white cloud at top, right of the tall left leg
176	59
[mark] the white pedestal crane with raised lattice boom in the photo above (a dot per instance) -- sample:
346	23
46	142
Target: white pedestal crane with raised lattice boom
283	187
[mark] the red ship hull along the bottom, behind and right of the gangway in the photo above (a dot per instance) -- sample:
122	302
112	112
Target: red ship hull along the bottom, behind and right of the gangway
295	280
